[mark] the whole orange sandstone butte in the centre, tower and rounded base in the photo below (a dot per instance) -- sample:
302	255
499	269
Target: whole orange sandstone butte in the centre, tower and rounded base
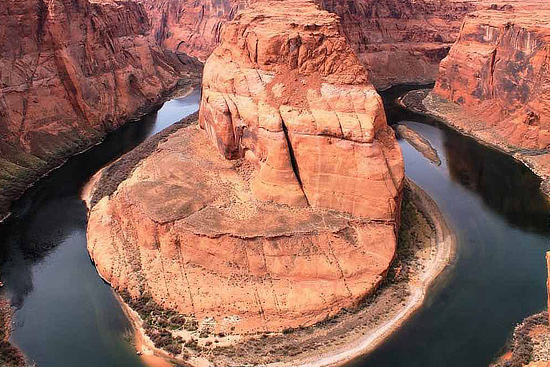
283	209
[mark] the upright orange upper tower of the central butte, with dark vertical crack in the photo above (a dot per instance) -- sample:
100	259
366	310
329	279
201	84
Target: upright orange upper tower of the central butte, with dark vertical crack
292	98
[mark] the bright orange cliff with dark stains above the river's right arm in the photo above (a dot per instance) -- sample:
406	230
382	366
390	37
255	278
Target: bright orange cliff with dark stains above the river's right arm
497	76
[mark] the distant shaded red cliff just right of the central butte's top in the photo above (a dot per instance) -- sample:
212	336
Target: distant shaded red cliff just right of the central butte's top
400	41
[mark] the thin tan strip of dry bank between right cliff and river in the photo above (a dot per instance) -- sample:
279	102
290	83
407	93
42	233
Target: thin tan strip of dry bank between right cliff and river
423	102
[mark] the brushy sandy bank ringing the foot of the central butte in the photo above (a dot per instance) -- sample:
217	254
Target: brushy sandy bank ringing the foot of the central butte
427	246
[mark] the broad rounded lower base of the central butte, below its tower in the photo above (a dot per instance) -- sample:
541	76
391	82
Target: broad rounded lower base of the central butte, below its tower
209	249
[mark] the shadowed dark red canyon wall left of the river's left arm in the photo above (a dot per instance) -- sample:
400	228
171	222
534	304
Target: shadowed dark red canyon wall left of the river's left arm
71	70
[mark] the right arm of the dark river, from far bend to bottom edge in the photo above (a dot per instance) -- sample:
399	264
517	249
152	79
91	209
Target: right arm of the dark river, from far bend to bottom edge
501	220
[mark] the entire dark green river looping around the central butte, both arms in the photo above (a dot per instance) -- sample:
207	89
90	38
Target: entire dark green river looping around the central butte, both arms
67	316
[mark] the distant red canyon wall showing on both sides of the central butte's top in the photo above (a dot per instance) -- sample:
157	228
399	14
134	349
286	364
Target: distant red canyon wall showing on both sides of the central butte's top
400	41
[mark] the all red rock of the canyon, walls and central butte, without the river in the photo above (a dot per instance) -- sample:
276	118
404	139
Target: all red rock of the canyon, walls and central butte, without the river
276	210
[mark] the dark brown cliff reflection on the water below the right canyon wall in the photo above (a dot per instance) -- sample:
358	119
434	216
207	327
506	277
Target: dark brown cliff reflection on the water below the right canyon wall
507	187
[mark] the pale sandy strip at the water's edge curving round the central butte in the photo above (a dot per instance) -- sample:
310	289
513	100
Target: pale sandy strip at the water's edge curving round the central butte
445	250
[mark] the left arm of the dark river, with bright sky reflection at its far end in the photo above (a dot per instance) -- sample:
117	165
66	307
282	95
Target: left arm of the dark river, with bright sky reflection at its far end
65	314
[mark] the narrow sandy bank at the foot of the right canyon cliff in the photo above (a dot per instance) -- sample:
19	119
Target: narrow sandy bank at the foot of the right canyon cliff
428	107
